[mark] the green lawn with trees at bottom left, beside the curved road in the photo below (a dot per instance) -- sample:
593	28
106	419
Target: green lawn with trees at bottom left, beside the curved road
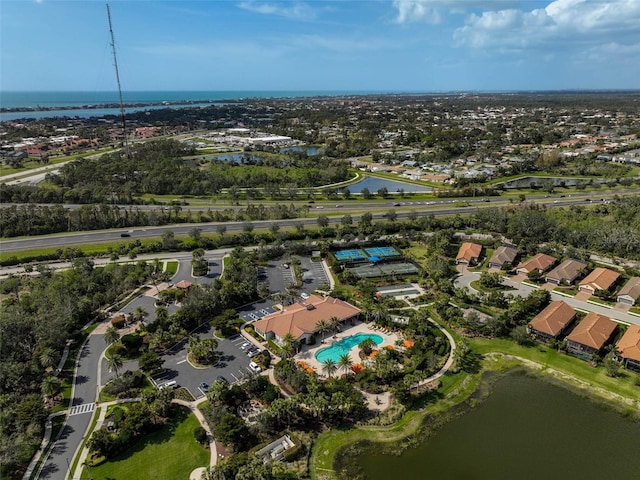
171	453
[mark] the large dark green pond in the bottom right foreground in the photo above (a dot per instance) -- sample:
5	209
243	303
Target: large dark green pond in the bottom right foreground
526	429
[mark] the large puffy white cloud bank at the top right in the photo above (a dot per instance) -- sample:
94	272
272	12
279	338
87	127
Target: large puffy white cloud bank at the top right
561	23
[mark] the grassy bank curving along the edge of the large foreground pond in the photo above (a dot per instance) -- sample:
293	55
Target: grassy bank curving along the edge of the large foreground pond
499	355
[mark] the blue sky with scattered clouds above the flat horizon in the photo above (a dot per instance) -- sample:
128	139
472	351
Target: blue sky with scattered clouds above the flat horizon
376	45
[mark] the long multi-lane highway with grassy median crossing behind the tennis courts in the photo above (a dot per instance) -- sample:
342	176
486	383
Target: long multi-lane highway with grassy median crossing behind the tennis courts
334	216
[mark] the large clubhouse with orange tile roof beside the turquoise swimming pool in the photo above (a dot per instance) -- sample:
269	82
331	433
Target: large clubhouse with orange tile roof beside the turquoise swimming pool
301	319
